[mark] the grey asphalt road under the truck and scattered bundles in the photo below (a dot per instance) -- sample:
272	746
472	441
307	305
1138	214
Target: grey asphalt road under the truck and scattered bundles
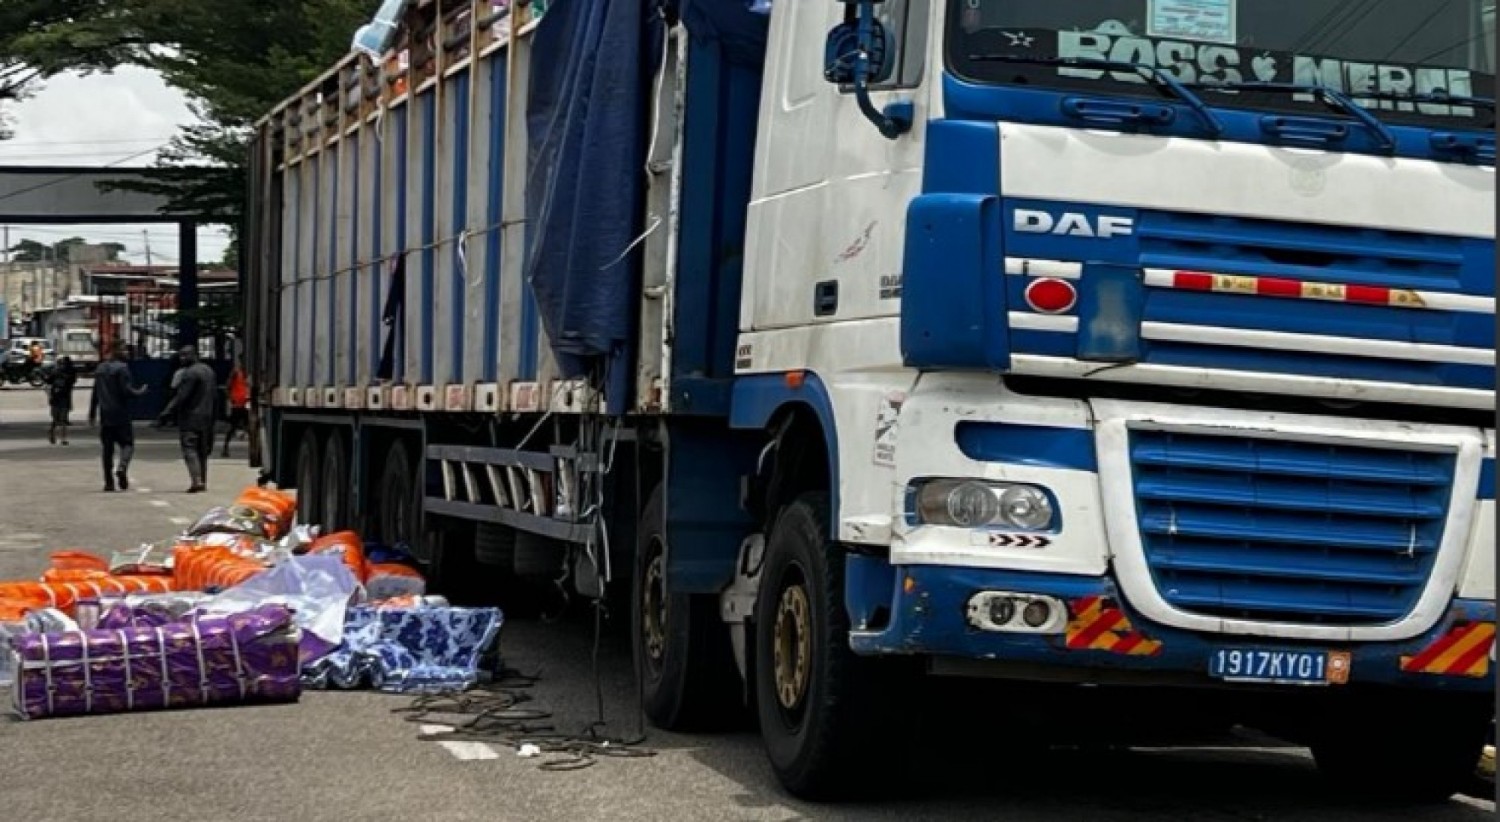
344	757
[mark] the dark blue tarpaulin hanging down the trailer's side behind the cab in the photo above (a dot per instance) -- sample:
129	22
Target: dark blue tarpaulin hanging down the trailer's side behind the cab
589	118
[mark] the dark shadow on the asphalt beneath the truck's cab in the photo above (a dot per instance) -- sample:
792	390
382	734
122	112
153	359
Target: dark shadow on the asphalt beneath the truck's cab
974	770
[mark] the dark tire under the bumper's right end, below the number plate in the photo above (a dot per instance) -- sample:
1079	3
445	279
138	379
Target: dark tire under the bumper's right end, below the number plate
1412	749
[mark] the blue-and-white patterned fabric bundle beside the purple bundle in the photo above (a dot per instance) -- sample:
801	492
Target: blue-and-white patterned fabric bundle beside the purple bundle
409	650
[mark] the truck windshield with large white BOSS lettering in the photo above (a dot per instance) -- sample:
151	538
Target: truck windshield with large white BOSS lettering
1409	64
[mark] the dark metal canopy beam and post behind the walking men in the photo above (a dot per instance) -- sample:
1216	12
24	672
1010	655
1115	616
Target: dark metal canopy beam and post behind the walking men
37	194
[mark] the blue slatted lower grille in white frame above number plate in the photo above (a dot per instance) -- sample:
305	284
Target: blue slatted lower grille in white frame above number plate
1286	532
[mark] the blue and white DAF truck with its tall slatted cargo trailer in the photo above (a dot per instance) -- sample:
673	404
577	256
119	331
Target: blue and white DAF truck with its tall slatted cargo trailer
1132	347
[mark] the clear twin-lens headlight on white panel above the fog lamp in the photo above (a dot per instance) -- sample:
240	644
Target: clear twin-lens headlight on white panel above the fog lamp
982	505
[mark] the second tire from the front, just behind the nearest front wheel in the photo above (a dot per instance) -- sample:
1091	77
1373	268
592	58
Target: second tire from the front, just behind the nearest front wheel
682	647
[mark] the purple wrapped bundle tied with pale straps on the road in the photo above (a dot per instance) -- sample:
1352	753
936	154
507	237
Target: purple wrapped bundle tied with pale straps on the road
205	661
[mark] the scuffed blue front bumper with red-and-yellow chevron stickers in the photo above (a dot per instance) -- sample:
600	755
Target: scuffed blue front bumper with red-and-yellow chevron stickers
923	610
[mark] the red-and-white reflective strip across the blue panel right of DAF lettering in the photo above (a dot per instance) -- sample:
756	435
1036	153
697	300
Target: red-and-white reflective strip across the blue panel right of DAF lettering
1324	292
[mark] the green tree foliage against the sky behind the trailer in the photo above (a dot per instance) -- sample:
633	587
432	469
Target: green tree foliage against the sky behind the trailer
235	59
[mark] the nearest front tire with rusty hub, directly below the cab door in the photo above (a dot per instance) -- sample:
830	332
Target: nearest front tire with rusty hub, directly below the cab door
835	725
